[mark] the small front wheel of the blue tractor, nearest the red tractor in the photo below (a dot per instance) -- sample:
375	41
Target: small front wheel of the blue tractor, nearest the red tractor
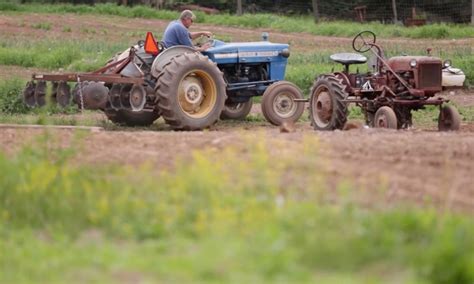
278	103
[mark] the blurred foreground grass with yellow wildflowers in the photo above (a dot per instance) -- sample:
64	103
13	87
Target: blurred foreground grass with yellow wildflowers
220	217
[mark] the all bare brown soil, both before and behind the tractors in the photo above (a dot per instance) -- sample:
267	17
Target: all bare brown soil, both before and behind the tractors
418	164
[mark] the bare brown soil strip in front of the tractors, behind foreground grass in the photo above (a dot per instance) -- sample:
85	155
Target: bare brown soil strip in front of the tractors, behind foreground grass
415	165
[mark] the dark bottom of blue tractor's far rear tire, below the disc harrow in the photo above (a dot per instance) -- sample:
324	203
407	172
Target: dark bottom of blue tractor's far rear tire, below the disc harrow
132	118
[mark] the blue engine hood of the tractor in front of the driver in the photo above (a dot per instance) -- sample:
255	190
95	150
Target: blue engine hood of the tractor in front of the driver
247	52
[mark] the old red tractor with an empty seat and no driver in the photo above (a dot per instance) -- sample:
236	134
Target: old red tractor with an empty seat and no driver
387	95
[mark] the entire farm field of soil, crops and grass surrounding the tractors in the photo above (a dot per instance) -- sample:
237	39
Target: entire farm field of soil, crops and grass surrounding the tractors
240	202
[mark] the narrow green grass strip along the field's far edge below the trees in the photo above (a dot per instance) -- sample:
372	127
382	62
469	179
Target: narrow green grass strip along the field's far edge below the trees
277	22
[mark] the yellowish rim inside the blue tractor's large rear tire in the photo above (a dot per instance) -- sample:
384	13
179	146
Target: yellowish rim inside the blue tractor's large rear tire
197	94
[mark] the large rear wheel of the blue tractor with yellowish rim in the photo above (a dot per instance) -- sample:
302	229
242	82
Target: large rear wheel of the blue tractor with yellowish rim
191	92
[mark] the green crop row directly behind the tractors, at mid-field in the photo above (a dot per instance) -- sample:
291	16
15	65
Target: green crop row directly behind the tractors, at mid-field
302	67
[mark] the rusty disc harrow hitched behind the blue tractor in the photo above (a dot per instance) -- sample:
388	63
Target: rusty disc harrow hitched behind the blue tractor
92	90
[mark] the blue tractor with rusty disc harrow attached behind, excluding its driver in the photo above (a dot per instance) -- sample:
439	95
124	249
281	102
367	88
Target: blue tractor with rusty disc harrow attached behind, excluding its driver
189	89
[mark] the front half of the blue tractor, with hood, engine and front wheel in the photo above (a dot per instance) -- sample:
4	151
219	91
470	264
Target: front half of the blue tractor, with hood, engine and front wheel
255	69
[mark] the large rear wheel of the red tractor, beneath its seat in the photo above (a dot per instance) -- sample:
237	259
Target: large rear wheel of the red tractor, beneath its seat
327	111
